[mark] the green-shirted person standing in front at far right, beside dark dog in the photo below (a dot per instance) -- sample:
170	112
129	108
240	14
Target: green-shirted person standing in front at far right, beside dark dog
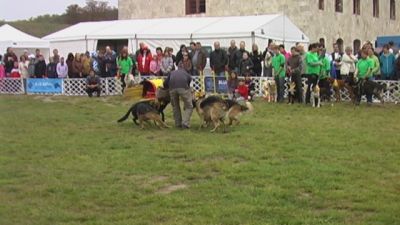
363	73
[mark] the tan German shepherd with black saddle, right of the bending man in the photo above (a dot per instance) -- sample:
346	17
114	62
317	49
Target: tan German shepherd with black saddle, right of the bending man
214	109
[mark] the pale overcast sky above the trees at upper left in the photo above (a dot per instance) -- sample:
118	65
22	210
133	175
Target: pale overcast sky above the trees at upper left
11	10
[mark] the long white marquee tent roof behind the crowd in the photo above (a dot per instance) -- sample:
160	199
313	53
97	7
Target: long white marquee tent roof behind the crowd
175	31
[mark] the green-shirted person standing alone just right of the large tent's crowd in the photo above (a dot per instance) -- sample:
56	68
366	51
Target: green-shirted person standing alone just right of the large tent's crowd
279	72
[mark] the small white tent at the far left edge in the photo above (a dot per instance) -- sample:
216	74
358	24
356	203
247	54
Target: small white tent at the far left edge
20	41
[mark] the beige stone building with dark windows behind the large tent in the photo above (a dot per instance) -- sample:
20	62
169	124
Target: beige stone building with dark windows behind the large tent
348	22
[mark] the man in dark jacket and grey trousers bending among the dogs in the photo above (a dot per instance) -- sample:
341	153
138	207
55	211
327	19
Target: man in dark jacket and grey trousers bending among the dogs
178	83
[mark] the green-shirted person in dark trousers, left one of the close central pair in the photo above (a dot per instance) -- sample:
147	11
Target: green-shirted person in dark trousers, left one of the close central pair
314	64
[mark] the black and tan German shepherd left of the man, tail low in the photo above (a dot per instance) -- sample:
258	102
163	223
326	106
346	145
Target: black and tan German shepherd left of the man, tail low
145	111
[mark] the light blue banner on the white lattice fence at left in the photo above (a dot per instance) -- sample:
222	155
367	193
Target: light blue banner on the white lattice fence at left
39	85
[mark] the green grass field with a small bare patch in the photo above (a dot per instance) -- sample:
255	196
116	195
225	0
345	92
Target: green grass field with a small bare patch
65	160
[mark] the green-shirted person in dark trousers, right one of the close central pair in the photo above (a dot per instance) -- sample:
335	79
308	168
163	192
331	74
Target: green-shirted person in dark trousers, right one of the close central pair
324	75
